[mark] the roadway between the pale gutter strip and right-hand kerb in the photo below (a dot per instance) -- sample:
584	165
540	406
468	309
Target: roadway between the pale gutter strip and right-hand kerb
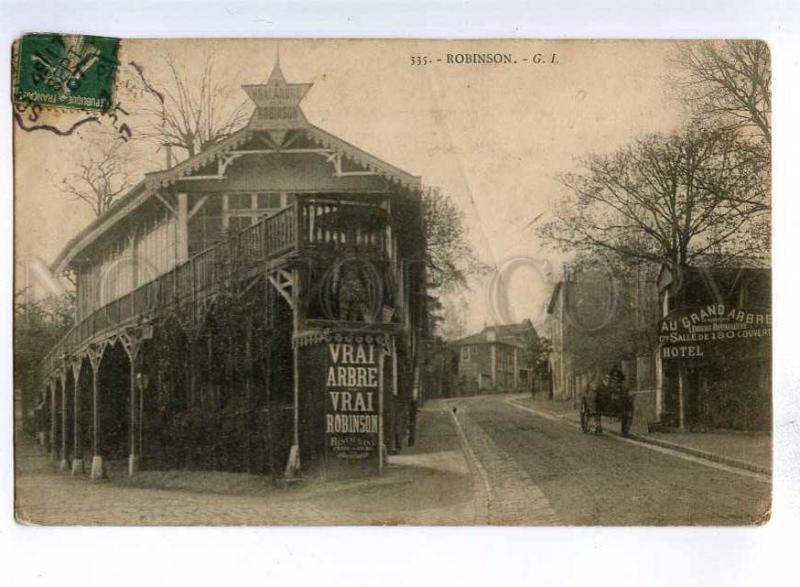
590	479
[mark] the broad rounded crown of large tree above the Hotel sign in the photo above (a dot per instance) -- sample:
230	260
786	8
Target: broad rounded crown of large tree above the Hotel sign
674	199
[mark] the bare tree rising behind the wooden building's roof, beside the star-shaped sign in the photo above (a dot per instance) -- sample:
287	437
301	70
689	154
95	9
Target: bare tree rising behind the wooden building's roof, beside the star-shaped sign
186	114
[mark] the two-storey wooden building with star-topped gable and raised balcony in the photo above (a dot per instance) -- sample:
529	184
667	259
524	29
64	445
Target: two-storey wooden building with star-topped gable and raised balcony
253	308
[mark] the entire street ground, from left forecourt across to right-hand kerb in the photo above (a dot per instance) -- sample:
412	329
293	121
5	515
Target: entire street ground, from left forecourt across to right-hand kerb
486	462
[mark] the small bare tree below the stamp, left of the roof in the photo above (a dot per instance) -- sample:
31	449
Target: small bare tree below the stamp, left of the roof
101	177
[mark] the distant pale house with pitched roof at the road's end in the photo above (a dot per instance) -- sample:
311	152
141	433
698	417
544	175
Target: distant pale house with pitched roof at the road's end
496	359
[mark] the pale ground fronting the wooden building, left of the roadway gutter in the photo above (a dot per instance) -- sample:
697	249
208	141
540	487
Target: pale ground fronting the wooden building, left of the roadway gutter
427	485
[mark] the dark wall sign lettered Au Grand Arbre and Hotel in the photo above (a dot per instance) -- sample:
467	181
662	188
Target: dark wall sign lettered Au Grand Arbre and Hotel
700	332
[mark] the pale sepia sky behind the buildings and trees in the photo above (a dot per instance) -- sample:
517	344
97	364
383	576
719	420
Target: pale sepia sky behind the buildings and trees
494	137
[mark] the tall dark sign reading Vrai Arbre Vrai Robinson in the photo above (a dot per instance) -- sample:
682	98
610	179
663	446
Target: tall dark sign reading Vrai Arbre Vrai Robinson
352	414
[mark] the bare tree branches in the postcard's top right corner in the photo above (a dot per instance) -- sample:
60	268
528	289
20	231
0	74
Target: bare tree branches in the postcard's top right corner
729	81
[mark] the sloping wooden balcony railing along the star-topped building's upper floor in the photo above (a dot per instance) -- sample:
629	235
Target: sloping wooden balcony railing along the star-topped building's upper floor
308	226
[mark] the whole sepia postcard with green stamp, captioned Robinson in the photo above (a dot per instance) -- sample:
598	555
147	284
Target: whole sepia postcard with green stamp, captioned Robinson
392	282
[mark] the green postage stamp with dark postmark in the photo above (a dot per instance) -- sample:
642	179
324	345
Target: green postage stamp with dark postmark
66	71
